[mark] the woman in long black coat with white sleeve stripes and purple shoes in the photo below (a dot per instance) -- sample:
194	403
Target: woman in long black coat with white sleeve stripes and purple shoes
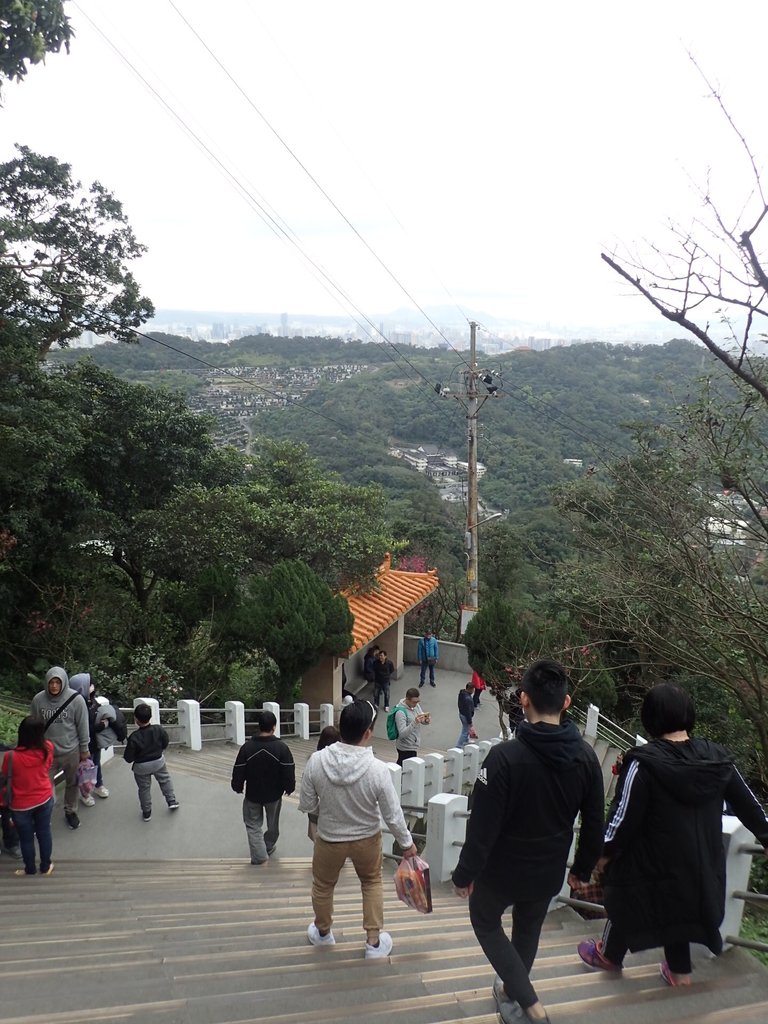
663	856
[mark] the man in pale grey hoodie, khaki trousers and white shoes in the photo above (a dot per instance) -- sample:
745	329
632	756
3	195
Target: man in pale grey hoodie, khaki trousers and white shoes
350	790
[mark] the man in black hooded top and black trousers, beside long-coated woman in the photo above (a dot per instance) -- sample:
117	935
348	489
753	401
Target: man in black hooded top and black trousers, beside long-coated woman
526	800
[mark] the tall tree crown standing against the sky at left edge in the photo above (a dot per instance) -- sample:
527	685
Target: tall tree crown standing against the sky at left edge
64	257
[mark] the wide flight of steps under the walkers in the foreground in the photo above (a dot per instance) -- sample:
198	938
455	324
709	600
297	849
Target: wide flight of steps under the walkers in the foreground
222	943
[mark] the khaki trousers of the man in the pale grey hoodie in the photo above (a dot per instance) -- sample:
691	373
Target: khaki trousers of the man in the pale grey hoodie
328	861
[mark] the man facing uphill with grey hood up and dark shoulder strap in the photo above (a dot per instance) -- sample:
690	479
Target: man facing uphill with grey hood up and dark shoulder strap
66	716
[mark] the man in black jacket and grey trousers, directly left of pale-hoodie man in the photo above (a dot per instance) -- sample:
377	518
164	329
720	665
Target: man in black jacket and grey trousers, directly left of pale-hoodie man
265	766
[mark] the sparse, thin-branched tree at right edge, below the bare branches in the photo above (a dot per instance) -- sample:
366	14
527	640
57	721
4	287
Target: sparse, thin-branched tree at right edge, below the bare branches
672	564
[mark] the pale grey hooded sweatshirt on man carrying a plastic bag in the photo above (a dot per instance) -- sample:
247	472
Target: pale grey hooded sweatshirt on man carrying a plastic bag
351	791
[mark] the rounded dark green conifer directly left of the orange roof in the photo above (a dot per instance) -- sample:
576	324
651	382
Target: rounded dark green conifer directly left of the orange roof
295	618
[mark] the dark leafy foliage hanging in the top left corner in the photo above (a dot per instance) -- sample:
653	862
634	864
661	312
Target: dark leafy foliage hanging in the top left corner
29	30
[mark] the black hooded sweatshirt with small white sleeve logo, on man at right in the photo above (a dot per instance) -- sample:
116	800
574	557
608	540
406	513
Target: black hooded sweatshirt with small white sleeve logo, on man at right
525	802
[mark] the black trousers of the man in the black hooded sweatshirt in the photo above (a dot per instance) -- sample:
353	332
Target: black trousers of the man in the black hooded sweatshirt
514	960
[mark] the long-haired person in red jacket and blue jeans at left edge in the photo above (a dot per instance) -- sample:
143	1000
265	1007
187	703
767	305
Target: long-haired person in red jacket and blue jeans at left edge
32	794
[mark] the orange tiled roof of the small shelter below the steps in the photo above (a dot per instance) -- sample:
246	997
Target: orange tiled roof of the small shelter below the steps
396	594
